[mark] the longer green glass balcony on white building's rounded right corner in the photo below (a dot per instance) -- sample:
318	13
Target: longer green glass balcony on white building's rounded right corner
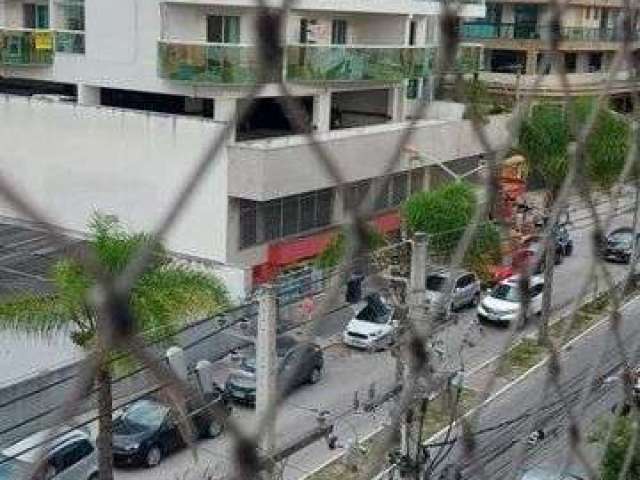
340	63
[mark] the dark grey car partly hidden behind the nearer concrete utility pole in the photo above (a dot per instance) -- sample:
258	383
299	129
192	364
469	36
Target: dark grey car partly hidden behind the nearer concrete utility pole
302	363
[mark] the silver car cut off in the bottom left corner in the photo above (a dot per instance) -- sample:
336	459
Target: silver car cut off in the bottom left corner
71	456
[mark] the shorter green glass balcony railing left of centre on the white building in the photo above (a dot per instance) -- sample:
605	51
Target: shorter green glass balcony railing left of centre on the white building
208	62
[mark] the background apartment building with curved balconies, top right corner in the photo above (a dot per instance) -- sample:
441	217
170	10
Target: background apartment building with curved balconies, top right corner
516	38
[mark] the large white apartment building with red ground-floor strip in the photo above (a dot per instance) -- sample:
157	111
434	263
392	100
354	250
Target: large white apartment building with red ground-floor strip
356	68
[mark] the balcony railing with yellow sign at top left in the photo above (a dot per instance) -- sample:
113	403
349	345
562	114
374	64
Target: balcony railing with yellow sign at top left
25	47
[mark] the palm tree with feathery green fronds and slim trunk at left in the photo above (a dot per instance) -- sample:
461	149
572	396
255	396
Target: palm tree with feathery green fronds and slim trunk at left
163	298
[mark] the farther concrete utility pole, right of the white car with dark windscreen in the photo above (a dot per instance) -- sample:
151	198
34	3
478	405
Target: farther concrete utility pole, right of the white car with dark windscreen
416	299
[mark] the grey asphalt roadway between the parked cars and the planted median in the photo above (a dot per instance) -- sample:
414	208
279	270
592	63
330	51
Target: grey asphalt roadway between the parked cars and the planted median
348	371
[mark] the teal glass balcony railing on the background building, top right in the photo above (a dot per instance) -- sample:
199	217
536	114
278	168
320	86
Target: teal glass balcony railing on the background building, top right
533	31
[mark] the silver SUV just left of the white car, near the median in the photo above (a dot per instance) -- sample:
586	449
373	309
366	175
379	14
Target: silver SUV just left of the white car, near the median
466	288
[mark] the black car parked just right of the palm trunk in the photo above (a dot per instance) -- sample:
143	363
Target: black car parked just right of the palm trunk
148	429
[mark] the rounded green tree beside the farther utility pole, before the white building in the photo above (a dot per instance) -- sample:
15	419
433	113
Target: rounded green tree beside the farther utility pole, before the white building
443	214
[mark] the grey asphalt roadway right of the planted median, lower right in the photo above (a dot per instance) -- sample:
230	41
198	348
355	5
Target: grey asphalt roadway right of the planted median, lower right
505	423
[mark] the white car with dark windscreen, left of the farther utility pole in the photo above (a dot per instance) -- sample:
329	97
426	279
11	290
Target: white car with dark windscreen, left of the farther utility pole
372	326
